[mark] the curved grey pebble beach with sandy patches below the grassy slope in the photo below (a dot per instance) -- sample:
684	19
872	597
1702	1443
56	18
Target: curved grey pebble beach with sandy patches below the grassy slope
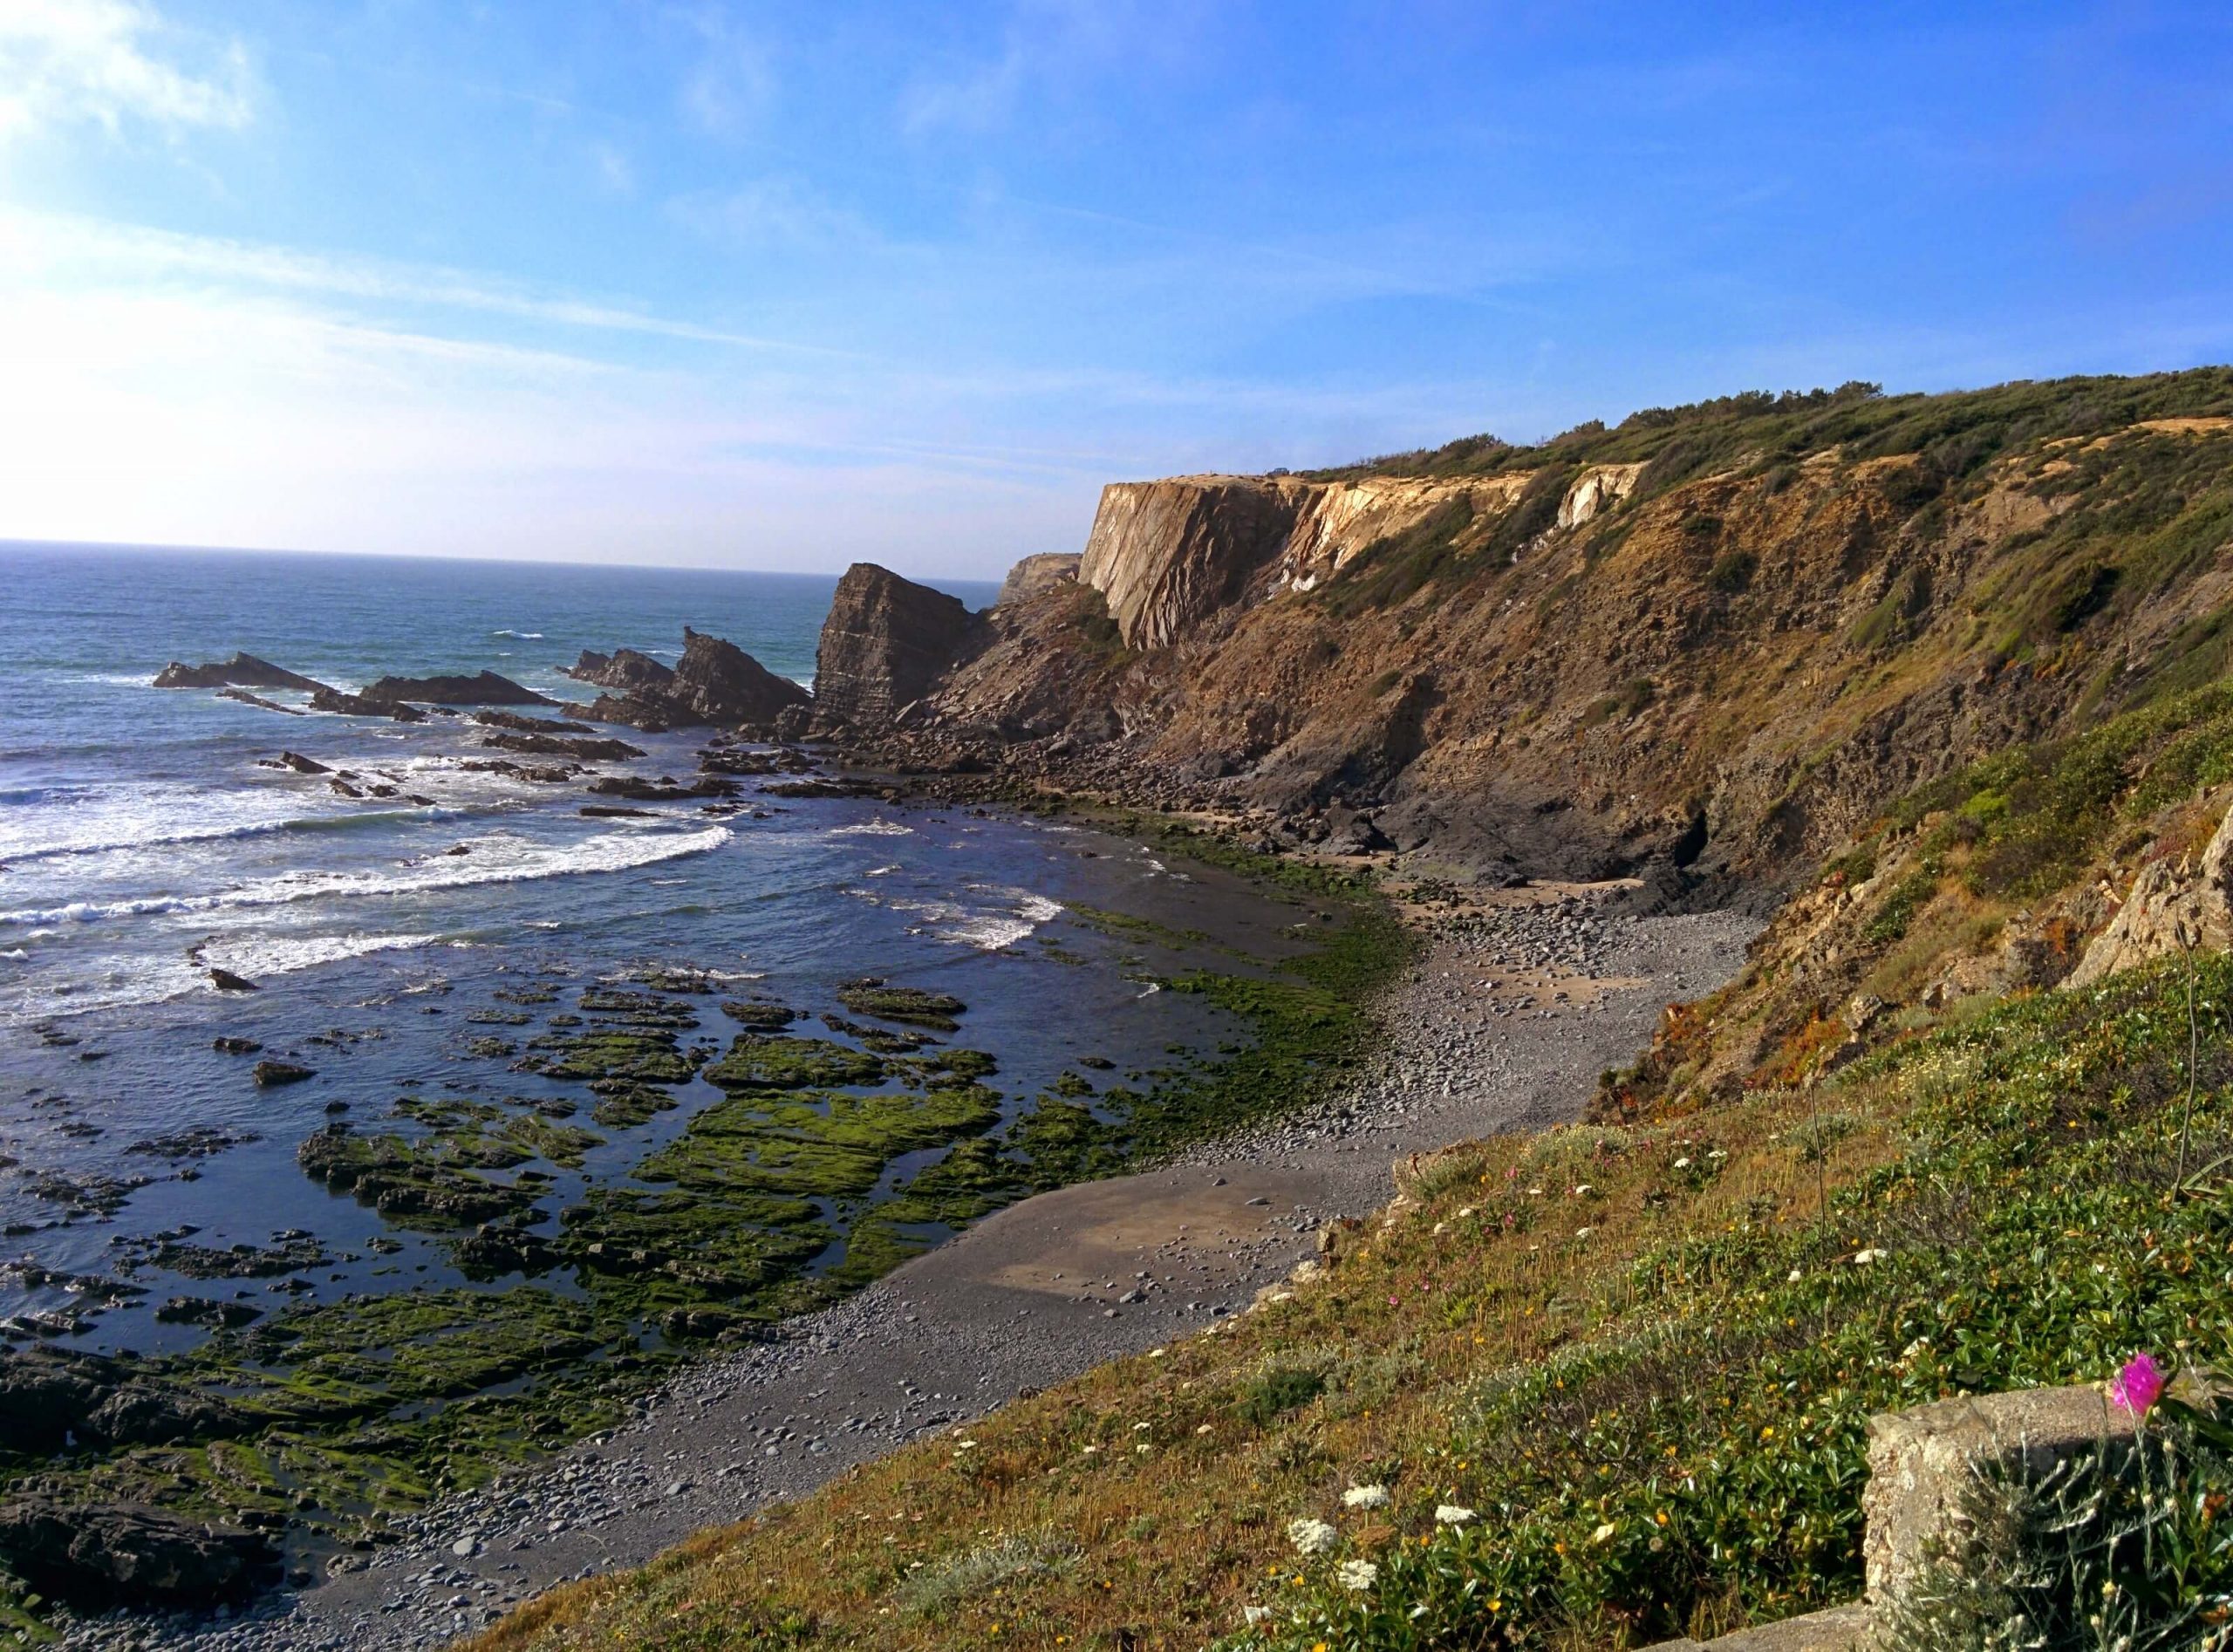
1504	1021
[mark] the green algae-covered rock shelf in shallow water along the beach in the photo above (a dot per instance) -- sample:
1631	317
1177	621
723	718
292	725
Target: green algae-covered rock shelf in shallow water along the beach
600	1180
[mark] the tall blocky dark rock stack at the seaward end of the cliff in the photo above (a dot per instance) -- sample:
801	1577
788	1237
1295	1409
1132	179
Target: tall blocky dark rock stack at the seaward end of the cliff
885	644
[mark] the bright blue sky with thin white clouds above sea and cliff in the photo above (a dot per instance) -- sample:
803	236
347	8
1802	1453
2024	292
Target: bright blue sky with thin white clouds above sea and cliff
789	287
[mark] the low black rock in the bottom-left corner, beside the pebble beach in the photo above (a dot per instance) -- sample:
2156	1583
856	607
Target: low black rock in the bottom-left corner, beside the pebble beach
126	1555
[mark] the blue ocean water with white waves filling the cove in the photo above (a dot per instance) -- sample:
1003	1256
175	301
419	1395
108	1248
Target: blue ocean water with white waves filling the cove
414	952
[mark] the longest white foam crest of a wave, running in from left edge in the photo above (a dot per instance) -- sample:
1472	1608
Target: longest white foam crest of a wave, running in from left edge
495	861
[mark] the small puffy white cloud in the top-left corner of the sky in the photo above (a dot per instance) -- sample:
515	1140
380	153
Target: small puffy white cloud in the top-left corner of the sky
97	61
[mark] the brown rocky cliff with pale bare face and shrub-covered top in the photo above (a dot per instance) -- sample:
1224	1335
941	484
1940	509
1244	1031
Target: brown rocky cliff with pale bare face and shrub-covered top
1707	644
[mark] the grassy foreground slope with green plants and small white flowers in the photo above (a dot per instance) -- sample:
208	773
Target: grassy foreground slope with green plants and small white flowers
1642	1356
